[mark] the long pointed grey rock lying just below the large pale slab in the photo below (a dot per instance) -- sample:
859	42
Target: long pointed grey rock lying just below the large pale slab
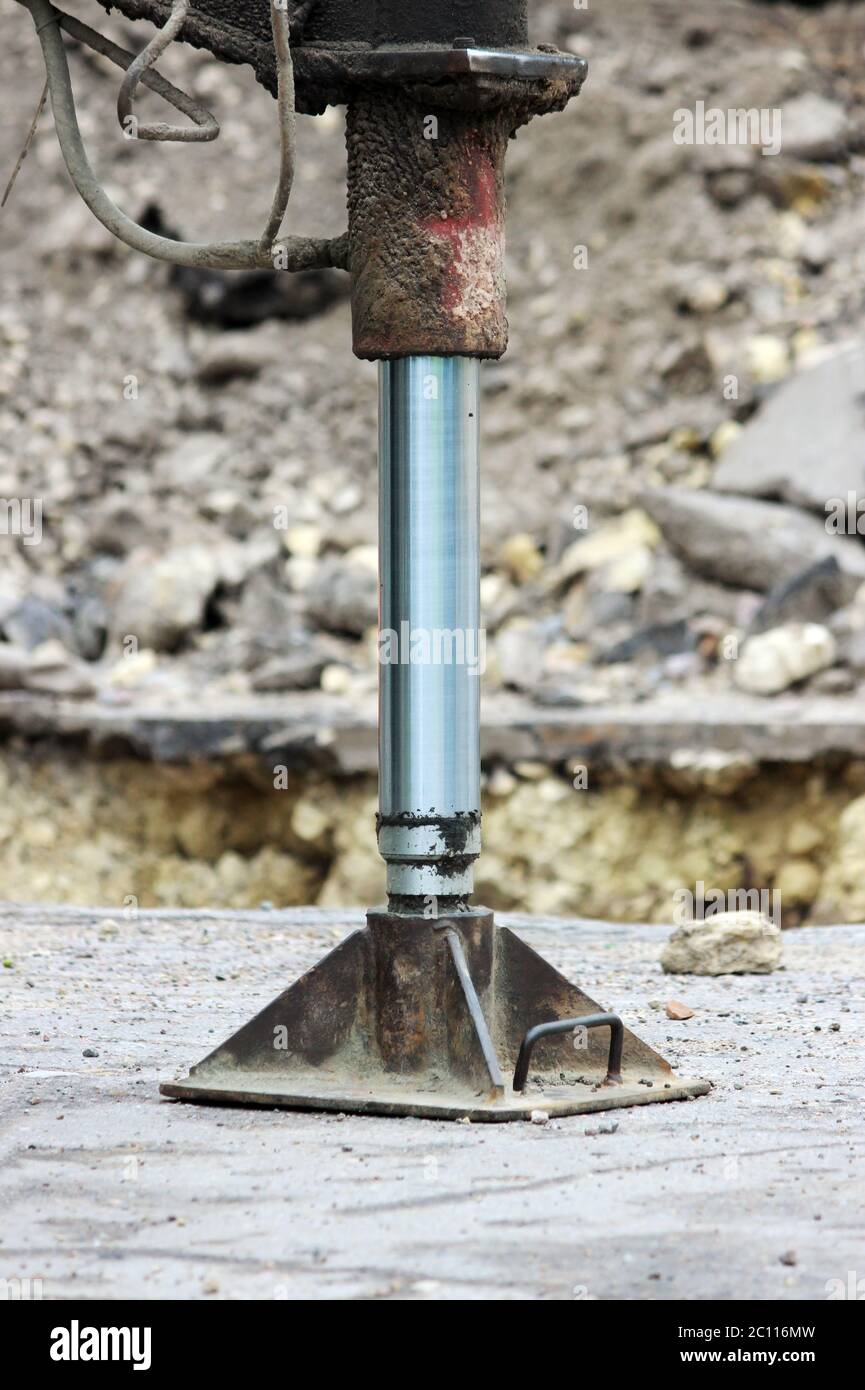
746	543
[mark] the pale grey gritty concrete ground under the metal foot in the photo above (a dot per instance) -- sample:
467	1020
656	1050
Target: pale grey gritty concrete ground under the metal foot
109	1192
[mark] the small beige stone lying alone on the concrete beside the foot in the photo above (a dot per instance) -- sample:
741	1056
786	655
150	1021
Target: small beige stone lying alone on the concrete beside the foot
731	943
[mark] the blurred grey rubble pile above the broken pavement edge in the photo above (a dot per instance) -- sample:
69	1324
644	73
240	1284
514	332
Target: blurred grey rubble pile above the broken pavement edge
674	448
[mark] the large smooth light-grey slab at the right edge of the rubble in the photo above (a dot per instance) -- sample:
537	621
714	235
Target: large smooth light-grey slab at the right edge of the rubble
807	443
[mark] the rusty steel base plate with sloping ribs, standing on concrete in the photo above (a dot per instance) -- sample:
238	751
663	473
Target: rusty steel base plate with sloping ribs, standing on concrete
415	1017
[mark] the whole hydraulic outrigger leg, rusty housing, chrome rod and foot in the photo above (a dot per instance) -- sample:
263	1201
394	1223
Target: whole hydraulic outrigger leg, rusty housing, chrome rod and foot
433	1010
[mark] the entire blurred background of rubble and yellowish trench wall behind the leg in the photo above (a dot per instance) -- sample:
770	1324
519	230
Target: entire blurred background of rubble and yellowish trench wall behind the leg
674	593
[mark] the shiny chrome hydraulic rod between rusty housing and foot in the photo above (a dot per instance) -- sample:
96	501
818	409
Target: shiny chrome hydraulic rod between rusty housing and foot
430	646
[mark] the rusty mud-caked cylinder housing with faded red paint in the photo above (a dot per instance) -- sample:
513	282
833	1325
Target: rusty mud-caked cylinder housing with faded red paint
426	229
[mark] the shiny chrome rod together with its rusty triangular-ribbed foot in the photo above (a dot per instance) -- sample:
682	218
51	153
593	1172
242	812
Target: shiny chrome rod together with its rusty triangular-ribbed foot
433	1010
